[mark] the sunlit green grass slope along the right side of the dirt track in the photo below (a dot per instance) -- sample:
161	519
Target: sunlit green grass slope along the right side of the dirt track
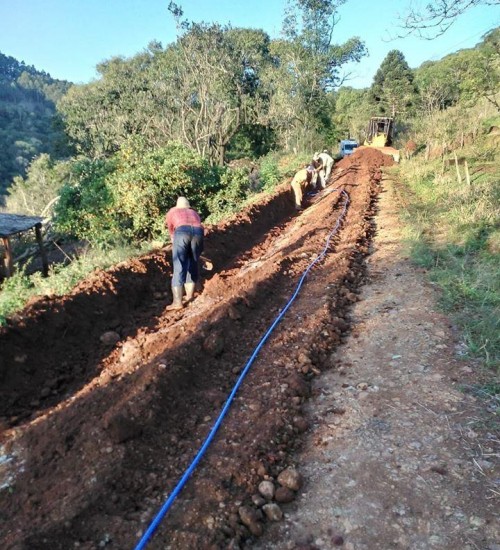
453	230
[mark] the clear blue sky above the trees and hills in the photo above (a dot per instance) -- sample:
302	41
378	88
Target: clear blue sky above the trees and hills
68	38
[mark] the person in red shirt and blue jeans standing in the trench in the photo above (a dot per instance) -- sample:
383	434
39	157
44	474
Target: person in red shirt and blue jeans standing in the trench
186	232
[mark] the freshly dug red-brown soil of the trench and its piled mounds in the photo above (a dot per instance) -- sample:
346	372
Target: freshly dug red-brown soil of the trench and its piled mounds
95	435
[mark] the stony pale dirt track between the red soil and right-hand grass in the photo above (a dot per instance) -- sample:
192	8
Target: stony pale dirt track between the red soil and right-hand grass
403	448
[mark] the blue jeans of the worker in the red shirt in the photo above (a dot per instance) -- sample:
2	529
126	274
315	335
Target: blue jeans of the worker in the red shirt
186	250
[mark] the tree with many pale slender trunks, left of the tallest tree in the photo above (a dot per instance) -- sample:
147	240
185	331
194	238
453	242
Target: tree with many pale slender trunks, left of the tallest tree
216	73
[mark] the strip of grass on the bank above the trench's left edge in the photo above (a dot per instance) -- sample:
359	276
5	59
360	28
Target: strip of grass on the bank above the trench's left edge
17	290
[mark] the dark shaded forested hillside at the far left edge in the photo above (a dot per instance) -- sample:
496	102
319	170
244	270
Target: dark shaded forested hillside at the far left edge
29	124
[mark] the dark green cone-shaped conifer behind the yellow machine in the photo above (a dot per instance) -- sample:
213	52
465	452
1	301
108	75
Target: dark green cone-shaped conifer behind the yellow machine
393	89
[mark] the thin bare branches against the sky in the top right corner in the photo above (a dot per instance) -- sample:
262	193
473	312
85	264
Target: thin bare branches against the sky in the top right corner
436	18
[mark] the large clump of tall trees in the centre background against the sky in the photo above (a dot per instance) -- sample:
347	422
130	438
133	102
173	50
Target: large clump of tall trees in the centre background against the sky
225	92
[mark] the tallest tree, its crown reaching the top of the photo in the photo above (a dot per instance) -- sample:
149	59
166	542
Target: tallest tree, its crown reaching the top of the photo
307	67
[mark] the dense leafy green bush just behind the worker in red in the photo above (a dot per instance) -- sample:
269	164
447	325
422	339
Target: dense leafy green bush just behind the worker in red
125	198
